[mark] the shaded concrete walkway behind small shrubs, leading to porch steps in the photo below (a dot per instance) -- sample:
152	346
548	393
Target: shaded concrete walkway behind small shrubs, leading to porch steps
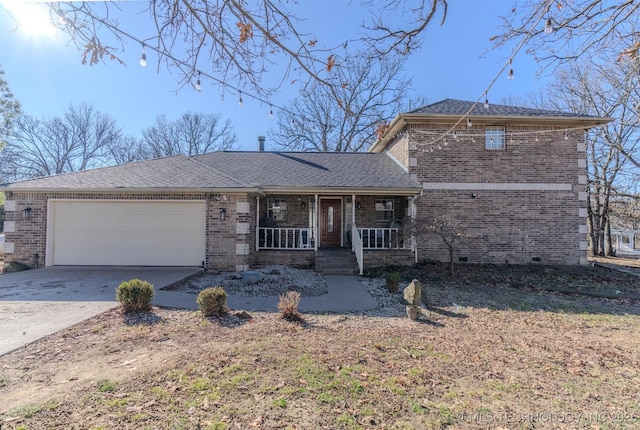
345	294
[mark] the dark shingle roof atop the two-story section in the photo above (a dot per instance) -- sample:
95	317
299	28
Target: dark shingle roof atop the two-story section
461	107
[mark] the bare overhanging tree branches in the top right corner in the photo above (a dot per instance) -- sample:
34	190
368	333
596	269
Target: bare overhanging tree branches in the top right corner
560	31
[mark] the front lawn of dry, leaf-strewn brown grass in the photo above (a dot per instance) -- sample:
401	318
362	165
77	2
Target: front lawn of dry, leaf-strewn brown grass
501	349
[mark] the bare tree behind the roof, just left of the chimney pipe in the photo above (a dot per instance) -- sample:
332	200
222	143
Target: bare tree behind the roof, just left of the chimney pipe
191	134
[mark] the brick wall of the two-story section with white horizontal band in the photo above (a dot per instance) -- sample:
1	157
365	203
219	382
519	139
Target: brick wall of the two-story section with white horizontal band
520	205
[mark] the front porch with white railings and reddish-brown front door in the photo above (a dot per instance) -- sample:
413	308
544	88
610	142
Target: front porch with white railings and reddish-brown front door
291	229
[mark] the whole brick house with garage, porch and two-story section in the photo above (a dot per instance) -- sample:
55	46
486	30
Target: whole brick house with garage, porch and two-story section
512	178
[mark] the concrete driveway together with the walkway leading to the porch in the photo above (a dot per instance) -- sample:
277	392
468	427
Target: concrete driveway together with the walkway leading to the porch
37	303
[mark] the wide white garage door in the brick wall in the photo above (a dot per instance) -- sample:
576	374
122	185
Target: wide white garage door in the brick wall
126	233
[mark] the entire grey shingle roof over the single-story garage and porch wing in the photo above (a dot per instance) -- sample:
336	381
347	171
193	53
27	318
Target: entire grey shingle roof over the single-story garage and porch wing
237	170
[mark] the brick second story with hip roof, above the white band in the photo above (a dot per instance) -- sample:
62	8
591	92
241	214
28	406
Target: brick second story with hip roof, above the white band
455	141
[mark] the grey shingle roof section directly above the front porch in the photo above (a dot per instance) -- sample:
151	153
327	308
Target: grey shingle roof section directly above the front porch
311	169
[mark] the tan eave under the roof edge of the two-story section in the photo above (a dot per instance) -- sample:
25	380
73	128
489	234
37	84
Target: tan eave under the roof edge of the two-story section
400	122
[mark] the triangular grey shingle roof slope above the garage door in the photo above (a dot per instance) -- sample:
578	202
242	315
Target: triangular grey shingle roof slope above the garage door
178	172
